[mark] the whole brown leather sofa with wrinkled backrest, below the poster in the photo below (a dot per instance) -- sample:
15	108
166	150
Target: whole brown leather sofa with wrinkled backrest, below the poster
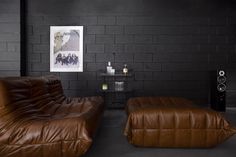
37	120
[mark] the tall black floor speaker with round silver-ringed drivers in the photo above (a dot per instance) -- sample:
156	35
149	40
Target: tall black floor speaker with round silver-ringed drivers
218	90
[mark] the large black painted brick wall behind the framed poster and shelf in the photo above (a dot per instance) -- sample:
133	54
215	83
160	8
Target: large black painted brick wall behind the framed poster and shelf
170	45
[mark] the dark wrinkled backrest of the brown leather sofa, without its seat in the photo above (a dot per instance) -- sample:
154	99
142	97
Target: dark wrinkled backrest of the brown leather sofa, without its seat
24	98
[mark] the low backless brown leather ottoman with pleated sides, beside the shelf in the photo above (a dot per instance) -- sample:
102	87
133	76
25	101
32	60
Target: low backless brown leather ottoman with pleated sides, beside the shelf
174	122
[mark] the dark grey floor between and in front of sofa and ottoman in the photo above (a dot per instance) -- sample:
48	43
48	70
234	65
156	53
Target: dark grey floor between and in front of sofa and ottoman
111	142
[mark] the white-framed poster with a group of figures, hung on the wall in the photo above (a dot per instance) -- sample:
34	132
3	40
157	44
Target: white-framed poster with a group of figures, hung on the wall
66	48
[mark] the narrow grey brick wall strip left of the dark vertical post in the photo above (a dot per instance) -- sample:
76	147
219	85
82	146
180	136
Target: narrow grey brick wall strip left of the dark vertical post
9	38
